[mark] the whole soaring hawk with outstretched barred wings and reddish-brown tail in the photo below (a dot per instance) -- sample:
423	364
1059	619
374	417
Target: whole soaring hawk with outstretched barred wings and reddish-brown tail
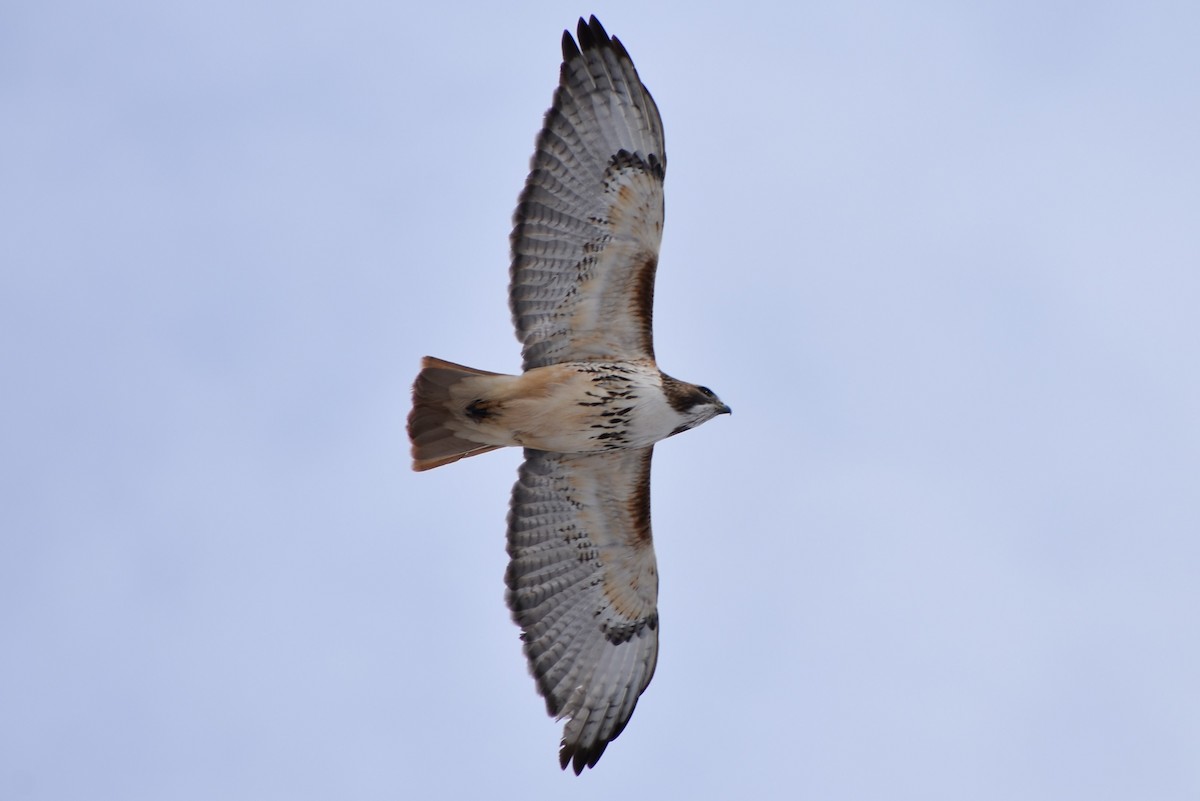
590	405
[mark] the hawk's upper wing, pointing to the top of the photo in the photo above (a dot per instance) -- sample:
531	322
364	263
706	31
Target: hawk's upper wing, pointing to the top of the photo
587	230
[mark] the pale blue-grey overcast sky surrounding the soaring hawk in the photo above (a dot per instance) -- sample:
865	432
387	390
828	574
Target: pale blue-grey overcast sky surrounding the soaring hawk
943	260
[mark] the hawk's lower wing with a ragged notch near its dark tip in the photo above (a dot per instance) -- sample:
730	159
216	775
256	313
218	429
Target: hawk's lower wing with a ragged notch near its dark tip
584	588
